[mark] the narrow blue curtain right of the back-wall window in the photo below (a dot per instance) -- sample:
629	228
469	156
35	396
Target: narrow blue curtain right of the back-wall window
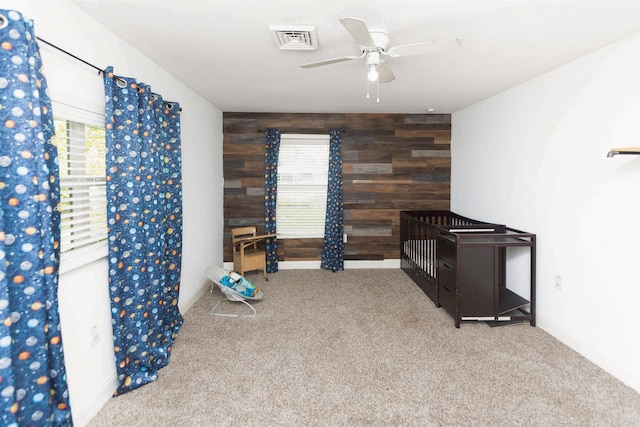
333	244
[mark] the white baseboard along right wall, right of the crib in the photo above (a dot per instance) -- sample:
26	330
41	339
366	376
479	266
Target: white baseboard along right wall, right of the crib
589	352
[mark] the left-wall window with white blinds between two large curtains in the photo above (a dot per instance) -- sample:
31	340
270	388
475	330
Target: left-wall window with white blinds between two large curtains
80	138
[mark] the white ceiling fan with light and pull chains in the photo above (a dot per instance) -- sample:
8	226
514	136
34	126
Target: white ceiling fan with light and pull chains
374	46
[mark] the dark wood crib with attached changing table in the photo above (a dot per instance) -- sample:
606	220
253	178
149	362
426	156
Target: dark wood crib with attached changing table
460	264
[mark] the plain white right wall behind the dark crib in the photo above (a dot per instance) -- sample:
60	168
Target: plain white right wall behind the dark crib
534	158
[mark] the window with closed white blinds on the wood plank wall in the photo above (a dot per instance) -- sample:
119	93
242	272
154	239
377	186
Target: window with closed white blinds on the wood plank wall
303	168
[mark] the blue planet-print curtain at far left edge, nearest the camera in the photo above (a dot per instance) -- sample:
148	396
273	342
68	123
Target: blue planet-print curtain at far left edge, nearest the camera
33	382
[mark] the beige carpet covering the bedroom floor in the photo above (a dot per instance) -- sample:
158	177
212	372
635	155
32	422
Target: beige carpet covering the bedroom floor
366	347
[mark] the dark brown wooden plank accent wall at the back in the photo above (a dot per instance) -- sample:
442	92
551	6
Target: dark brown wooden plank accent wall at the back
391	163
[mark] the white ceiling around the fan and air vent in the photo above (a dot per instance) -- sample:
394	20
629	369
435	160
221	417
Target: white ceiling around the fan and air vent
224	49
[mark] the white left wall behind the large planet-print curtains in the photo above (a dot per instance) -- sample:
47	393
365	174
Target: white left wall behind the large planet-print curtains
83	292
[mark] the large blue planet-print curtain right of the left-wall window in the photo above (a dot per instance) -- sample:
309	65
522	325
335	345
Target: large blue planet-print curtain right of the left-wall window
144	213
